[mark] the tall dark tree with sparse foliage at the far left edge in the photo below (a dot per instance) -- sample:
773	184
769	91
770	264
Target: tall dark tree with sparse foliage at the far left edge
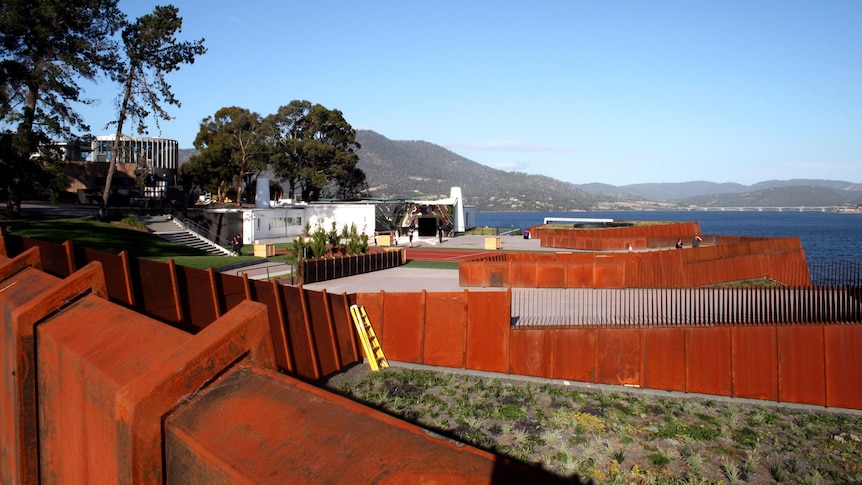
46	49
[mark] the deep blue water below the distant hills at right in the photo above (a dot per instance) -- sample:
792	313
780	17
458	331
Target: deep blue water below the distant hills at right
826	236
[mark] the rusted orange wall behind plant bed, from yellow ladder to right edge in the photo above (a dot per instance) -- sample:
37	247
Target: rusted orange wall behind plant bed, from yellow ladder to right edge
776	362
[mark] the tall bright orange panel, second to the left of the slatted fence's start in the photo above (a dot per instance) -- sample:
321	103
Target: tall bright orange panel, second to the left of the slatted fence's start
446	329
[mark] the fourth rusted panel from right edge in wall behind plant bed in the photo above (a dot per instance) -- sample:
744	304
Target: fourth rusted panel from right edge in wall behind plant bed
708	361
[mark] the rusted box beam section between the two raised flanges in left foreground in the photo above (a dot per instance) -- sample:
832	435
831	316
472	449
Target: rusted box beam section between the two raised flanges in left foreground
86	355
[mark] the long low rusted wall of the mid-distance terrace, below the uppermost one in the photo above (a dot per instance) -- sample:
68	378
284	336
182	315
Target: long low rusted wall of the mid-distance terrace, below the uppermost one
780	259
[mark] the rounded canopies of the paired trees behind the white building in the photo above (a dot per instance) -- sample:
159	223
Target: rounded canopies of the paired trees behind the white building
310	148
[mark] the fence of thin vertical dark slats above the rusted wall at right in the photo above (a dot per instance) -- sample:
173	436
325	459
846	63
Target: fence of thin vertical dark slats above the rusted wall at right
683	306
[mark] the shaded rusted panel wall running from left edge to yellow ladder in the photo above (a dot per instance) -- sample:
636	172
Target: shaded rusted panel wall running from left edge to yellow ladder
312	332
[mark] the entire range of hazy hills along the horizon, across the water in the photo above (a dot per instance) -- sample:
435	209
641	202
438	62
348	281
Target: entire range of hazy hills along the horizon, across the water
422	170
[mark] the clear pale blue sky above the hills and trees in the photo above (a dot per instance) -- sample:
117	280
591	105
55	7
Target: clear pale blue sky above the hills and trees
618	92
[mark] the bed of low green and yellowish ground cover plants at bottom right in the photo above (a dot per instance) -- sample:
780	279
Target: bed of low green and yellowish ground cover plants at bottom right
617	436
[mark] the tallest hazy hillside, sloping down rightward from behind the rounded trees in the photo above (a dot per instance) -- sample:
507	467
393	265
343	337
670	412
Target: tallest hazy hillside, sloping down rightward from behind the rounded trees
418	169
